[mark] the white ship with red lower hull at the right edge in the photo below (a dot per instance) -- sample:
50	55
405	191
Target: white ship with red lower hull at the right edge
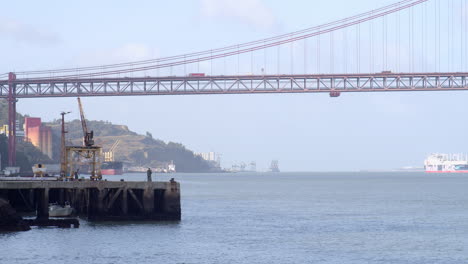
446	163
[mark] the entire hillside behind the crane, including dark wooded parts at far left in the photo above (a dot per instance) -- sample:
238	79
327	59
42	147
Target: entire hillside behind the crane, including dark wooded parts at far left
134	149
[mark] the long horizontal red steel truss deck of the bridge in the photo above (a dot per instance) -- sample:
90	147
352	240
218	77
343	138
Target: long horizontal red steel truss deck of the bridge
250	84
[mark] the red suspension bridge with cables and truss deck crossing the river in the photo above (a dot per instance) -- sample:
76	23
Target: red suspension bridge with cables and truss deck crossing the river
426	51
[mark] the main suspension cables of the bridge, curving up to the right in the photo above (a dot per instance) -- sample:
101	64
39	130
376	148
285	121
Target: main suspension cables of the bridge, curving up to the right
196	57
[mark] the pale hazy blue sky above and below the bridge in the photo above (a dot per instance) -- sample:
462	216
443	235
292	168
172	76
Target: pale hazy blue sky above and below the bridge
302	131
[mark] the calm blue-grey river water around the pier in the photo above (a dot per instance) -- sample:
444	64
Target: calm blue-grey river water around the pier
275	218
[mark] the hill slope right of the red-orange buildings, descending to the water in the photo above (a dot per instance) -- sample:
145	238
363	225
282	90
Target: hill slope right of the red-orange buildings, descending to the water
133	149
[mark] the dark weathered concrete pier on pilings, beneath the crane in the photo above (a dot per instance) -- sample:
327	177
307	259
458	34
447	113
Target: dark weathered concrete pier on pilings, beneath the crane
97	200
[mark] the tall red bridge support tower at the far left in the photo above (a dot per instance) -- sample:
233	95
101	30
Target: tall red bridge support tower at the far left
11	120
